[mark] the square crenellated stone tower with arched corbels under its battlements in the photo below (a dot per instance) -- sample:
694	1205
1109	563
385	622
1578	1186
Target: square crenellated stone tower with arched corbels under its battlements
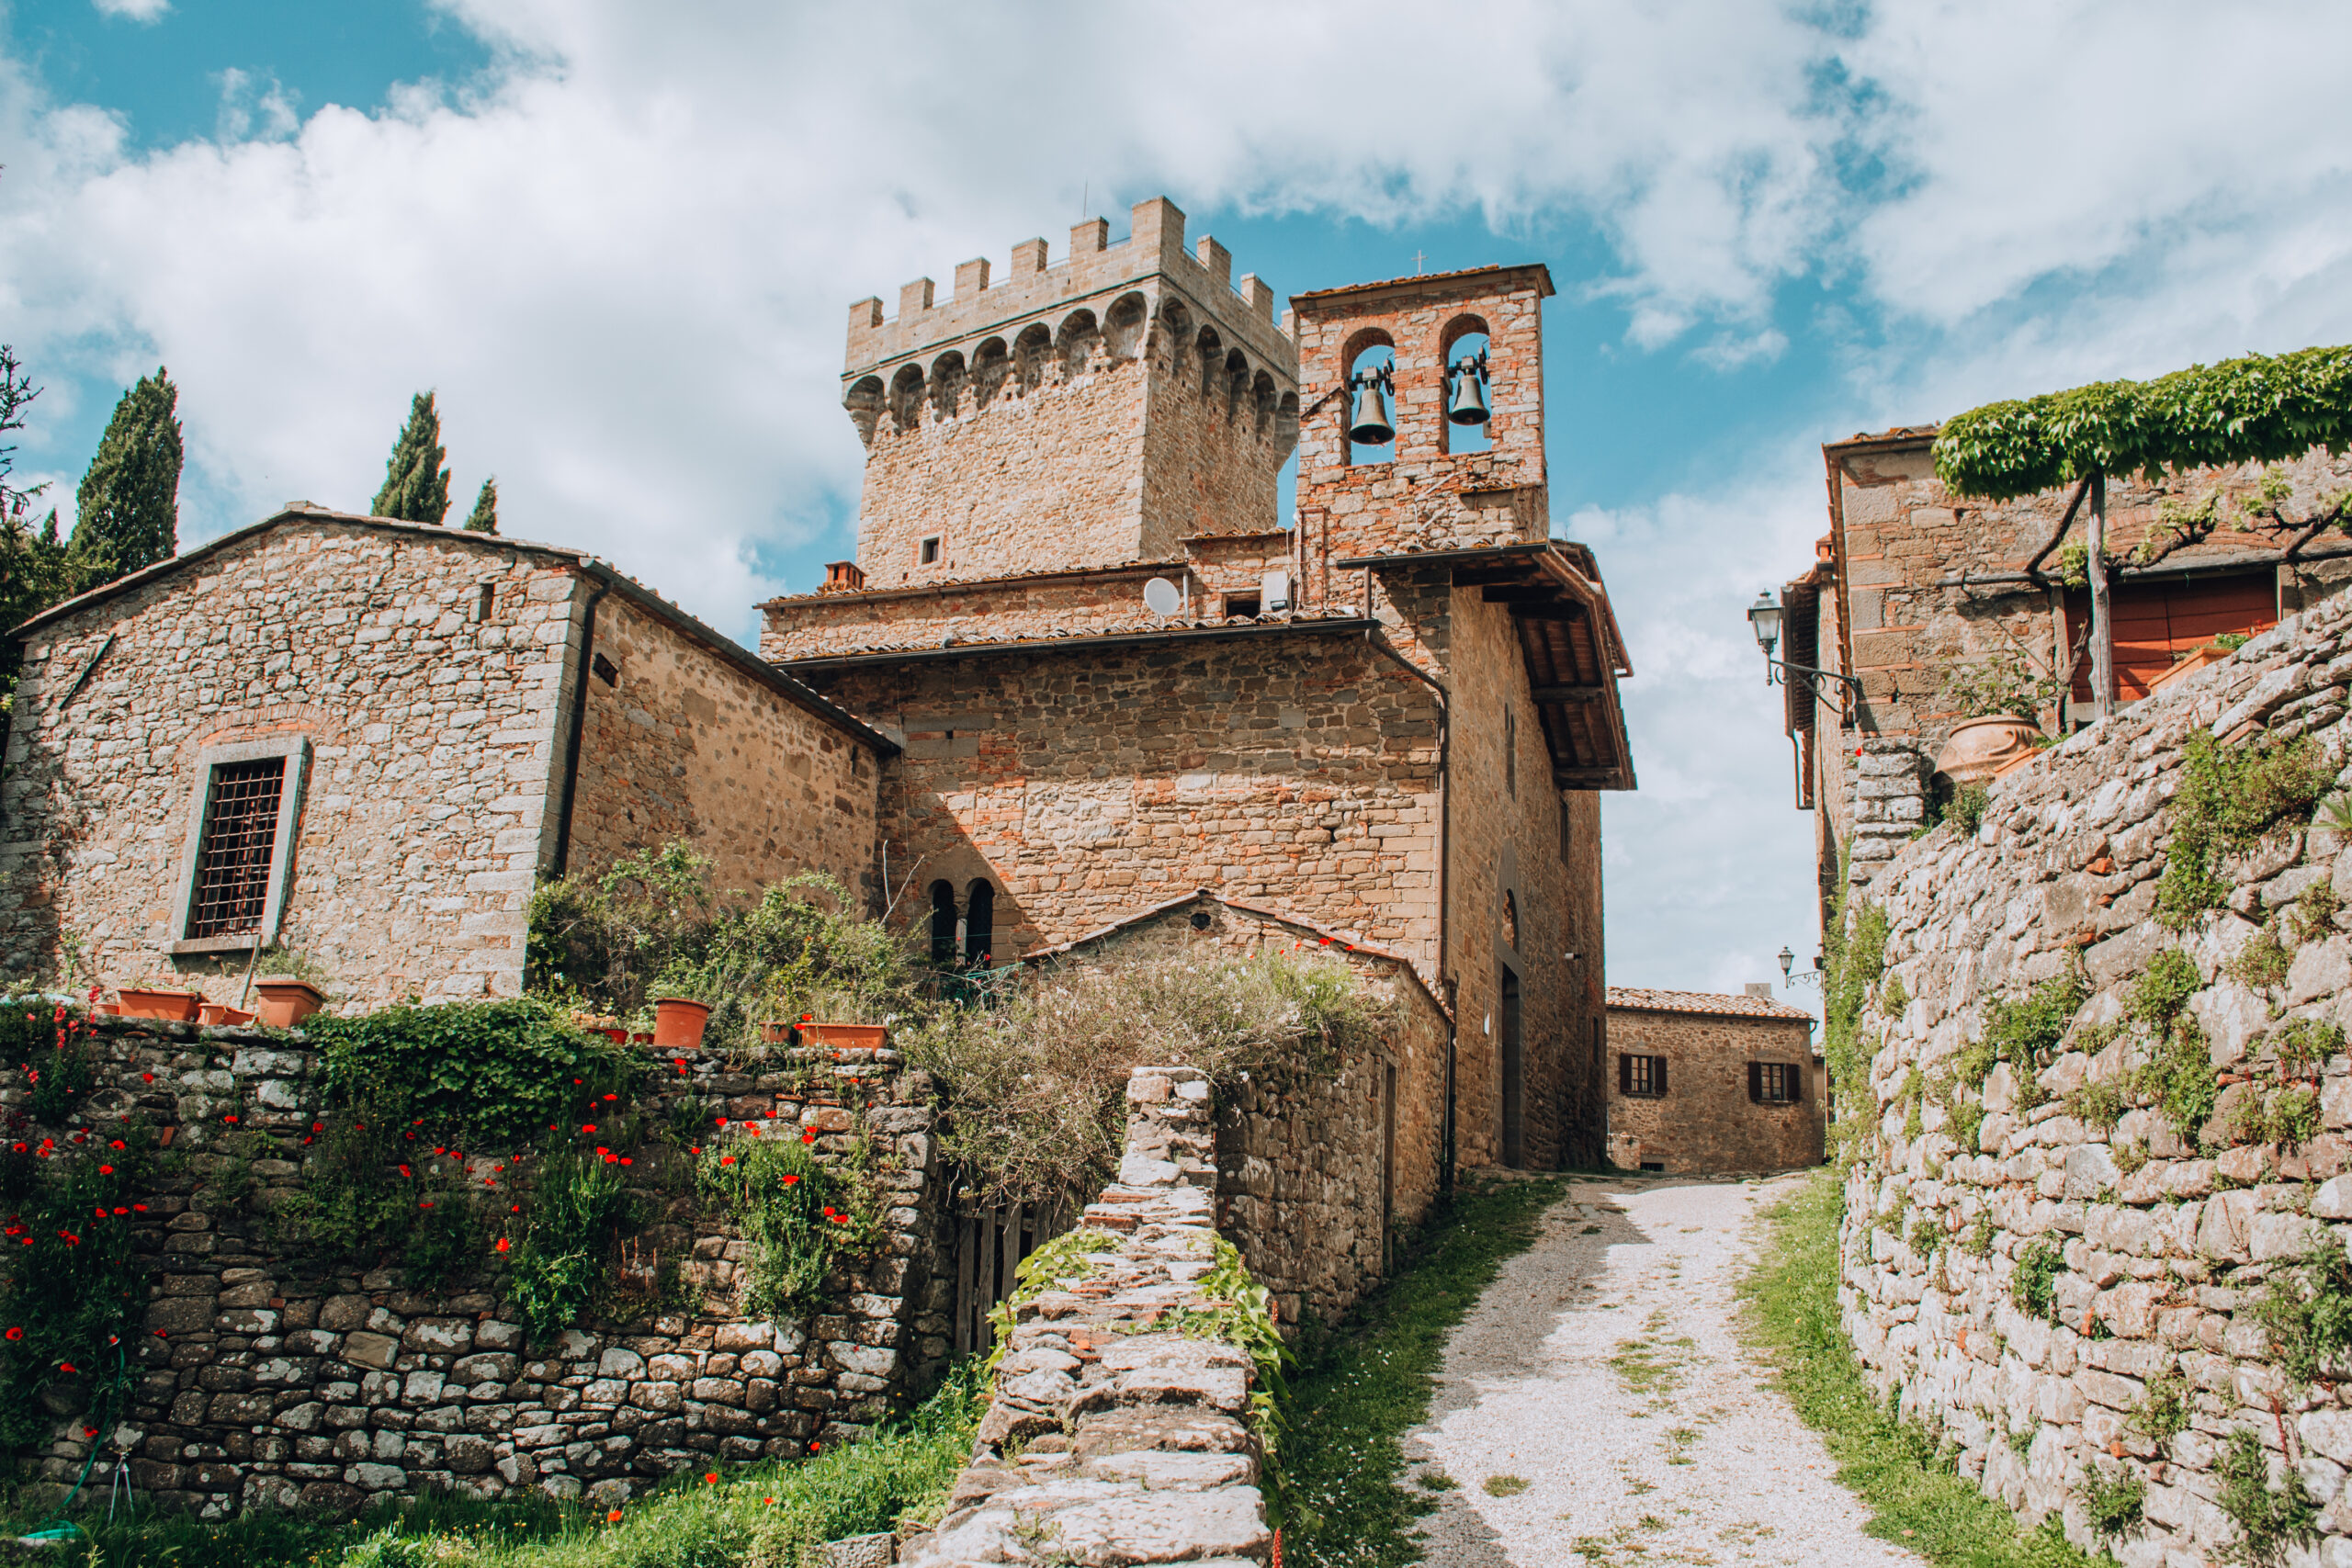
1078	415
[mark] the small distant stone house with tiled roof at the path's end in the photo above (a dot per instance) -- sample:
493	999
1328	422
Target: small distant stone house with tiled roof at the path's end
1711	1085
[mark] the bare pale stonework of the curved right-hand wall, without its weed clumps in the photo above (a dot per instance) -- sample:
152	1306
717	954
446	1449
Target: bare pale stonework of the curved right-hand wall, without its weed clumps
2170	1238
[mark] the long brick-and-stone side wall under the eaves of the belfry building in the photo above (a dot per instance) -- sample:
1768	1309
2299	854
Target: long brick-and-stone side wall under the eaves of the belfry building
1100	782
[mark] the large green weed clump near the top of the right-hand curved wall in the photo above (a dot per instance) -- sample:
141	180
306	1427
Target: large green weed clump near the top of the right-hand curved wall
2229	798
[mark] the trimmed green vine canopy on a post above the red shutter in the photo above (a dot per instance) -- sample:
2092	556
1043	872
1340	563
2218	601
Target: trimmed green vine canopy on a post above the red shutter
2252	410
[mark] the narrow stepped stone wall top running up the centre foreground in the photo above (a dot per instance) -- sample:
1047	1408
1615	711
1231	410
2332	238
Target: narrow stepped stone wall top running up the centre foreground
1109	1440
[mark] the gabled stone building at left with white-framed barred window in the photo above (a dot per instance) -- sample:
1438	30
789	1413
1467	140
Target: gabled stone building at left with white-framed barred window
366	742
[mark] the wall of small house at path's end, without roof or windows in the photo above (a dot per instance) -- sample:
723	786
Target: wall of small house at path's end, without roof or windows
1706	1123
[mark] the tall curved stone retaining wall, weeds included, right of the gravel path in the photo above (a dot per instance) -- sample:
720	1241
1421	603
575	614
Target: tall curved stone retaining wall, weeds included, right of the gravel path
2099	1118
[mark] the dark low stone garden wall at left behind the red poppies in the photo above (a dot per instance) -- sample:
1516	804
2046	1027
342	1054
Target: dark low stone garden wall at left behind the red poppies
269	1374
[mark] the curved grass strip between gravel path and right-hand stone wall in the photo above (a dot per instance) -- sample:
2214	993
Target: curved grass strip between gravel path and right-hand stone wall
1916	1501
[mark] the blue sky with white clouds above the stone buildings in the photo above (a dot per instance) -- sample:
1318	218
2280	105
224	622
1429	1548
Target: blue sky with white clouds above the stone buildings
620	241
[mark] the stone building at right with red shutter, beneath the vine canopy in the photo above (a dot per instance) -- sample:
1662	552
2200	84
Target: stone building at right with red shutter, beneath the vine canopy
1916	589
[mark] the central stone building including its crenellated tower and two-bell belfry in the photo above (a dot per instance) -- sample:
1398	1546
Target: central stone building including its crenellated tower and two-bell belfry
1387	723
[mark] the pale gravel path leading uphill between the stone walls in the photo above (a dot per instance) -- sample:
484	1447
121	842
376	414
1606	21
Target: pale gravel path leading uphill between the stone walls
1601	1388
